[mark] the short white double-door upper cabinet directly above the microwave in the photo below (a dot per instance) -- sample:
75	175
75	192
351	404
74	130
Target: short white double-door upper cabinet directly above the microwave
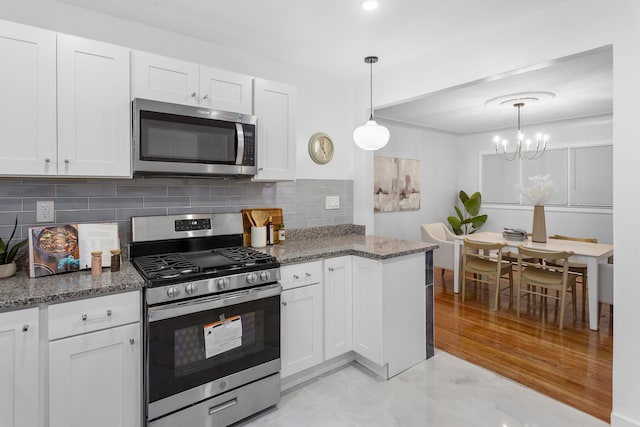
172	80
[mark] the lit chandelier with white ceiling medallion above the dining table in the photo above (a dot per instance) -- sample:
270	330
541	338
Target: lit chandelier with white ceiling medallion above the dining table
524	148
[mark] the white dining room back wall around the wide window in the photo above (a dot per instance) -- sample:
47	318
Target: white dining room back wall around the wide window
596	223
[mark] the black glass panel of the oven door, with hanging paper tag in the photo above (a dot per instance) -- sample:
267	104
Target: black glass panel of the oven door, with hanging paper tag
194	349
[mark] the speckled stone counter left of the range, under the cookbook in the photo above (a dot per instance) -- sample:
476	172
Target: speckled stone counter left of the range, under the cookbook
22	291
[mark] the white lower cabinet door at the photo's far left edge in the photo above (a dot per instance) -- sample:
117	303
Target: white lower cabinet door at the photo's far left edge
19	368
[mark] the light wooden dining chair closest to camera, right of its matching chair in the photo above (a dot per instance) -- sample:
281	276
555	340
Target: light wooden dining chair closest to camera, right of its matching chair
549	272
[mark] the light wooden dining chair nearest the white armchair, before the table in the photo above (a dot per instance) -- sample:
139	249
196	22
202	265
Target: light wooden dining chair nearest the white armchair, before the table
485	260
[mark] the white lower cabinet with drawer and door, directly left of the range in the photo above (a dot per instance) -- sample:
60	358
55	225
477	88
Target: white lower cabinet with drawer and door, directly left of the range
95	377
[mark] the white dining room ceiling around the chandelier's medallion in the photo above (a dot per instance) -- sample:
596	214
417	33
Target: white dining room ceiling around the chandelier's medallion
582	84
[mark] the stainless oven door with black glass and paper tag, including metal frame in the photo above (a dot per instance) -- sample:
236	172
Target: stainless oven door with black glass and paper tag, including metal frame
200	348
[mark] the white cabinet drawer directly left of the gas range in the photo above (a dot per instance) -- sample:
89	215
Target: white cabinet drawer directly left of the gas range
92	314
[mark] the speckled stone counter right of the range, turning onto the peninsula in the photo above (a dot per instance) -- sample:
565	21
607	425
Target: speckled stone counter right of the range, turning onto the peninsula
351	244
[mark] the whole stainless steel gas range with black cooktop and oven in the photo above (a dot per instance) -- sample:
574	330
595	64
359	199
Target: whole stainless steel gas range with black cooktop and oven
212	320
